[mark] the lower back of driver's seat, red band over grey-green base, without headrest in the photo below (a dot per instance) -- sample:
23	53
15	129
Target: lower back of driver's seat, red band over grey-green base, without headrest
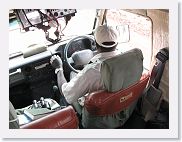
112	110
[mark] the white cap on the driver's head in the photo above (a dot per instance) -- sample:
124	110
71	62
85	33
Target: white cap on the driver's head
106	33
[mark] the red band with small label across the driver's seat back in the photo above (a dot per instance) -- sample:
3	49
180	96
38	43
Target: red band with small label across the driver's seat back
101	103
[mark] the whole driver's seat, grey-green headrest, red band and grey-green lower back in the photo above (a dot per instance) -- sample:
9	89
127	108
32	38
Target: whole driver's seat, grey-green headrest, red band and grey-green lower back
111	108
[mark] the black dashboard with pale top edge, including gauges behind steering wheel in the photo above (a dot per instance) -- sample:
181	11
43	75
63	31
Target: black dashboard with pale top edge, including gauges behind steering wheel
33	77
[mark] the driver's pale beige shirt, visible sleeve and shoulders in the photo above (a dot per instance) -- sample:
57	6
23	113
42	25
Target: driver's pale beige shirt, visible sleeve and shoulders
87	80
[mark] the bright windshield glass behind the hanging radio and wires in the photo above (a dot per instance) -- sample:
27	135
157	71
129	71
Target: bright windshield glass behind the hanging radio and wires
80	24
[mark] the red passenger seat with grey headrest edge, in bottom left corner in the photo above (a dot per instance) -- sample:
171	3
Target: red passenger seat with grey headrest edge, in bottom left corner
65	118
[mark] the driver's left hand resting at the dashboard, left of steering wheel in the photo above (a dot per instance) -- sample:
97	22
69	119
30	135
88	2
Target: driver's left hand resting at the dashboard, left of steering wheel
56	62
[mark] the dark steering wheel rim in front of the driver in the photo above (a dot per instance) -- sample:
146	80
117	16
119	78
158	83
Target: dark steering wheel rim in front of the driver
70	59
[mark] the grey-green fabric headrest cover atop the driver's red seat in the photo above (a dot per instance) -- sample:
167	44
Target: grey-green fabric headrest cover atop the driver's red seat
123	70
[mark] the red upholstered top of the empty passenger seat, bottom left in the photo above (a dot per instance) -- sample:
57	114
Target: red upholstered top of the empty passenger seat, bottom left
63	119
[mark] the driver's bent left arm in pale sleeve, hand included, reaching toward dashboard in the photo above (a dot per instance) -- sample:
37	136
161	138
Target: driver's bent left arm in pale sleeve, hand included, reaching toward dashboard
78	86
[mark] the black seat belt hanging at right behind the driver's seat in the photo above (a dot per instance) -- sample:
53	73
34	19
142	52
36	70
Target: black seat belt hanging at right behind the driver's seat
152	95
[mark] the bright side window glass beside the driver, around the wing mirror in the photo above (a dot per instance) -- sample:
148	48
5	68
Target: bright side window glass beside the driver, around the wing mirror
140	32
